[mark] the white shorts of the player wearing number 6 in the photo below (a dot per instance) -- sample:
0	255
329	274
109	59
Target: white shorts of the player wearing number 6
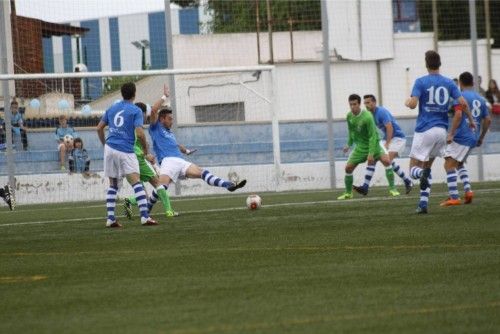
118	164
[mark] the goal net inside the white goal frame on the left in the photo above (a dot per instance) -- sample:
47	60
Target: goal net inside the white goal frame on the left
225	114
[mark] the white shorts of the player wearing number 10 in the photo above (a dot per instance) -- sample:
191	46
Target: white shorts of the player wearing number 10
428	144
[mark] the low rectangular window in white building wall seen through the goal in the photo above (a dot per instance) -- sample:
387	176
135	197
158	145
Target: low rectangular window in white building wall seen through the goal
224	112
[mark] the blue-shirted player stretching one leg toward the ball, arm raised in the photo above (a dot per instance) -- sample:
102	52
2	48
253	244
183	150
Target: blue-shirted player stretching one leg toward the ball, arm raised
169	154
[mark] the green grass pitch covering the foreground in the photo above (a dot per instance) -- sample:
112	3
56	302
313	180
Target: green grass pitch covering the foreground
304	263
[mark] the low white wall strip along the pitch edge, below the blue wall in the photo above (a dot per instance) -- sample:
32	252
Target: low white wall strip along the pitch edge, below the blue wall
54	188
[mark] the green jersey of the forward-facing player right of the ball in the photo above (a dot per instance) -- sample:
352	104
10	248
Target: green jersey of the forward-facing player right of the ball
363	132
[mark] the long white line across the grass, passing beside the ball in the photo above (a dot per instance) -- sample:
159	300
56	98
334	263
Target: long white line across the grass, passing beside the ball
334	202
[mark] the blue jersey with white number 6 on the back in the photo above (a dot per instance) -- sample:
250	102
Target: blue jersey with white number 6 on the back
122	118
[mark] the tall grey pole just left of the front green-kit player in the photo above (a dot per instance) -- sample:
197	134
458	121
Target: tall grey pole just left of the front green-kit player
328	91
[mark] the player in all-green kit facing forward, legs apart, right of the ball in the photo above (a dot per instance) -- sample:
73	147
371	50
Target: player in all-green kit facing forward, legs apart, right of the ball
363	133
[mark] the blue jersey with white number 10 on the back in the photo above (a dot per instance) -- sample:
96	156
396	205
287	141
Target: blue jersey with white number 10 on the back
434	92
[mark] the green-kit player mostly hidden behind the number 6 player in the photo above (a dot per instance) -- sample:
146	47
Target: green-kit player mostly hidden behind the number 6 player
148	174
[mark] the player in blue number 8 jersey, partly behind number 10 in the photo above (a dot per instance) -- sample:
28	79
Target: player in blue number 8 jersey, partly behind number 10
482	120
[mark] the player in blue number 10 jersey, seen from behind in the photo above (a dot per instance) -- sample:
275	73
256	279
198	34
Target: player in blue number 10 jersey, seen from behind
432	93
